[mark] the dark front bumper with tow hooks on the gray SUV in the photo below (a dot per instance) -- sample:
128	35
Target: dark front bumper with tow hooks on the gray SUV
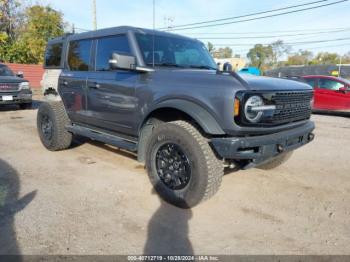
257	150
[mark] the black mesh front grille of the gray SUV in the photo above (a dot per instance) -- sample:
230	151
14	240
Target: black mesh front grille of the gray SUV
291	106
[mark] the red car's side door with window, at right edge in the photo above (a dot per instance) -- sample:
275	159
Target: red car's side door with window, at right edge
330	97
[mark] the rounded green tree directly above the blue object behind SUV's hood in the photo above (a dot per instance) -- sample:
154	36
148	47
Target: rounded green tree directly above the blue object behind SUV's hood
261	56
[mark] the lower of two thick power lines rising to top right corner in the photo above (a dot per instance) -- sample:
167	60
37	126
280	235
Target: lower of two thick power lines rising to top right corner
262	17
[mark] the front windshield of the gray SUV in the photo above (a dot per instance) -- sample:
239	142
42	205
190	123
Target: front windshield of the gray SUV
174	52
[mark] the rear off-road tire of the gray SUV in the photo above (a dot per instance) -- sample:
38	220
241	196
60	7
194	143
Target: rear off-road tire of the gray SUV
60	138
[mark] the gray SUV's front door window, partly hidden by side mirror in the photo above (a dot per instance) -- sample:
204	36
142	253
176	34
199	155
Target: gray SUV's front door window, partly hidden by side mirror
106	47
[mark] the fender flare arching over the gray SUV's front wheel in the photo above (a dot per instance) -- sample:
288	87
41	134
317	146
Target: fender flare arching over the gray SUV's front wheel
203	118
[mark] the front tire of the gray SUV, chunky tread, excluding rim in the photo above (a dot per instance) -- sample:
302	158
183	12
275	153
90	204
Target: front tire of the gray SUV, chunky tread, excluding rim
206	169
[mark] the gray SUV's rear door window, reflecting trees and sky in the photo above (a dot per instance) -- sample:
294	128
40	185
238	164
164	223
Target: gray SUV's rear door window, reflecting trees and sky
79	55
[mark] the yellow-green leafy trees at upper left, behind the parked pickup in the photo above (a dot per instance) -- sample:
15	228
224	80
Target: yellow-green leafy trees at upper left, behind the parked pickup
39	24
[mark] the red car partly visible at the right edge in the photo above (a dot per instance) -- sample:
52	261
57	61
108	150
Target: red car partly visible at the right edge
331	93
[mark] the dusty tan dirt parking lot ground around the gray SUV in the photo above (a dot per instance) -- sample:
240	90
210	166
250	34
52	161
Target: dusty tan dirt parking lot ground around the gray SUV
96	199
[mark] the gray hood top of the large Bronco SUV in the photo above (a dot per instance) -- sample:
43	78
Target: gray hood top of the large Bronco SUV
269	83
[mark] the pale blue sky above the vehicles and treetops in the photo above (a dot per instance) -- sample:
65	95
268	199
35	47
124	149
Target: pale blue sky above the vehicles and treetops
139	13
